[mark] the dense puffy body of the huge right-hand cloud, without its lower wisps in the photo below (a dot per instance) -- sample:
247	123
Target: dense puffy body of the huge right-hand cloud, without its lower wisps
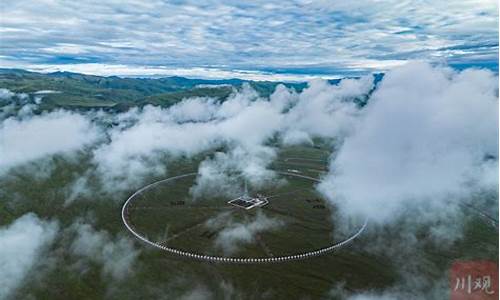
428	134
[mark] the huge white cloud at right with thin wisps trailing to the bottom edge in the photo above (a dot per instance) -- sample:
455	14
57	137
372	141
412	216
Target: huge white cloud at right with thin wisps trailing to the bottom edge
425	144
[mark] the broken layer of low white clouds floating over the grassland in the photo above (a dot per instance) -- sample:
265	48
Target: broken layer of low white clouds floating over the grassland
425	141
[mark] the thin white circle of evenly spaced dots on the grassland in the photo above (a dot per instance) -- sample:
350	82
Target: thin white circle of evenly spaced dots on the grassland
238	260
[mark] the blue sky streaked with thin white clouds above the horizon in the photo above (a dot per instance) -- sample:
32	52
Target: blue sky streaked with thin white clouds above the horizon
250	39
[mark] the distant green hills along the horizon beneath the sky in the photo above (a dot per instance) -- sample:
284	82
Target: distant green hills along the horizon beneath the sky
79	91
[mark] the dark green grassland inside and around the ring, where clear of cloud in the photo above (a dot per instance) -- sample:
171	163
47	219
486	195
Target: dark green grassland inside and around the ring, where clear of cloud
158	273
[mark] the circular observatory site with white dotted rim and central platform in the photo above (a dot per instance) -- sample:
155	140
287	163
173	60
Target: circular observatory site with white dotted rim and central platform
283	219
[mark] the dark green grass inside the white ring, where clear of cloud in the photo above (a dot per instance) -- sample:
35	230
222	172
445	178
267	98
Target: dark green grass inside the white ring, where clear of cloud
306	217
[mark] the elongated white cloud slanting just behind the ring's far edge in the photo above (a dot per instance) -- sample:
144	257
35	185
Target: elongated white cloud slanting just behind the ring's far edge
184	129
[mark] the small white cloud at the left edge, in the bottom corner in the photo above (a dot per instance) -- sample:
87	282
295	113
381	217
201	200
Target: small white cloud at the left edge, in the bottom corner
23	244
